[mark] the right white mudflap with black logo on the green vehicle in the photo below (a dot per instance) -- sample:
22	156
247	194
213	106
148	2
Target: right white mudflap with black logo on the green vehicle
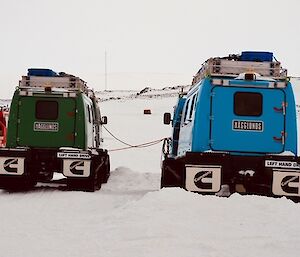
76	168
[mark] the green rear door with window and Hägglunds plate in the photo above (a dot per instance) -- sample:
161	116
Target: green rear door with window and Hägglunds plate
46	122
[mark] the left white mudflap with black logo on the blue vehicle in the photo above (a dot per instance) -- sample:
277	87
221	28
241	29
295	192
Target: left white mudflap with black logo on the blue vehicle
203	178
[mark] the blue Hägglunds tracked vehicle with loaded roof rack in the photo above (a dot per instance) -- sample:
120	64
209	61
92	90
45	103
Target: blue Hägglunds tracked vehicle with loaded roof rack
235	130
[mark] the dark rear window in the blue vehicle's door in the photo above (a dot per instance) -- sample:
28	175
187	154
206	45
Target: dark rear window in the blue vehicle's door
247	104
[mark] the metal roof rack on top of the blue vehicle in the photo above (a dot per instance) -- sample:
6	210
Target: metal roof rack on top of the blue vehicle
232	66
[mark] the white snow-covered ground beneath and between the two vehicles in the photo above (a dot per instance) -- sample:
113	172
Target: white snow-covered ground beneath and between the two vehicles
131	217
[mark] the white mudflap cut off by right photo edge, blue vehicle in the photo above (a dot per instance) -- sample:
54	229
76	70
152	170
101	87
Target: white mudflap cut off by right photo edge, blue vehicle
286	182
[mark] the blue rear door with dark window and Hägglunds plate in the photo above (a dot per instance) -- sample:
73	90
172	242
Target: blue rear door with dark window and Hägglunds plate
247	119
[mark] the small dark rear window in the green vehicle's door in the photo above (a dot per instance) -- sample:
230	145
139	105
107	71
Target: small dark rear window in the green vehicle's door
46	110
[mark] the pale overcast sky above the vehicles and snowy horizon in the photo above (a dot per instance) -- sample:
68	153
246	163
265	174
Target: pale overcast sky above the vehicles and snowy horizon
152	43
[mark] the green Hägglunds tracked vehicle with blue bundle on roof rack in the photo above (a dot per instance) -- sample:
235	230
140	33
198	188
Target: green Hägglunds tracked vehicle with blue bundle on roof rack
54	126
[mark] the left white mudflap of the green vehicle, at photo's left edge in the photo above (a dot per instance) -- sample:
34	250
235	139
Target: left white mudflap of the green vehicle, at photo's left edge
12	165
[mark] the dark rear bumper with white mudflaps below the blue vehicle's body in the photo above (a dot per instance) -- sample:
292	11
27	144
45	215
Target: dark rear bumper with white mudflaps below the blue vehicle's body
263	175
